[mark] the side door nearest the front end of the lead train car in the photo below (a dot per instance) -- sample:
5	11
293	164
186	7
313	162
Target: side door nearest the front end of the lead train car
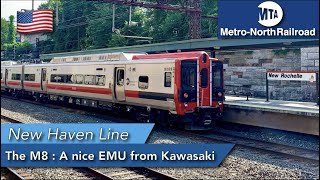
119	83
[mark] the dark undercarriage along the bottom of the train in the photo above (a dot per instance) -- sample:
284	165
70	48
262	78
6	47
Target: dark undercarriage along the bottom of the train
202	119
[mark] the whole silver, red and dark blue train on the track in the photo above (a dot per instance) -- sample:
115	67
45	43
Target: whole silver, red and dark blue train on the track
184	89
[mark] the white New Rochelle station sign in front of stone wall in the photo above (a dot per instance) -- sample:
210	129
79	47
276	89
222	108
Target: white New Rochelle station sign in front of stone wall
291	76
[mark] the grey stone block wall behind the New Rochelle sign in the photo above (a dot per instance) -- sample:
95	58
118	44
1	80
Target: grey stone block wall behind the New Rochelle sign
246	71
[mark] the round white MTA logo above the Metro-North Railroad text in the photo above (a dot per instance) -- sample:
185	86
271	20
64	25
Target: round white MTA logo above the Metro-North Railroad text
270	14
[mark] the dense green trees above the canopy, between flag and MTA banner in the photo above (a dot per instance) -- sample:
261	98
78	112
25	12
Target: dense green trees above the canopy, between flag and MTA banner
88	25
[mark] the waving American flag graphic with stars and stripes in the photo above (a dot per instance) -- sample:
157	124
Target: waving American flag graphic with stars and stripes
34	21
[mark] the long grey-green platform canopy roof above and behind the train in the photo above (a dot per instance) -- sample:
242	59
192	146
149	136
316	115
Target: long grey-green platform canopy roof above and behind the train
209	44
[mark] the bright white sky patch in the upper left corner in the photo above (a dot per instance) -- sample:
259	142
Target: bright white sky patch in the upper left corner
10	7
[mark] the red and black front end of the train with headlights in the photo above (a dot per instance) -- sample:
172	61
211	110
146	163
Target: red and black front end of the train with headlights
199	91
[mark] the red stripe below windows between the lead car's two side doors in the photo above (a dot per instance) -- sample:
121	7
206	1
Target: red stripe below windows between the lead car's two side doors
80	89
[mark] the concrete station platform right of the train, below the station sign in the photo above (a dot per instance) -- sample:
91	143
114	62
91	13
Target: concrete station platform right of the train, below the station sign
302	117
